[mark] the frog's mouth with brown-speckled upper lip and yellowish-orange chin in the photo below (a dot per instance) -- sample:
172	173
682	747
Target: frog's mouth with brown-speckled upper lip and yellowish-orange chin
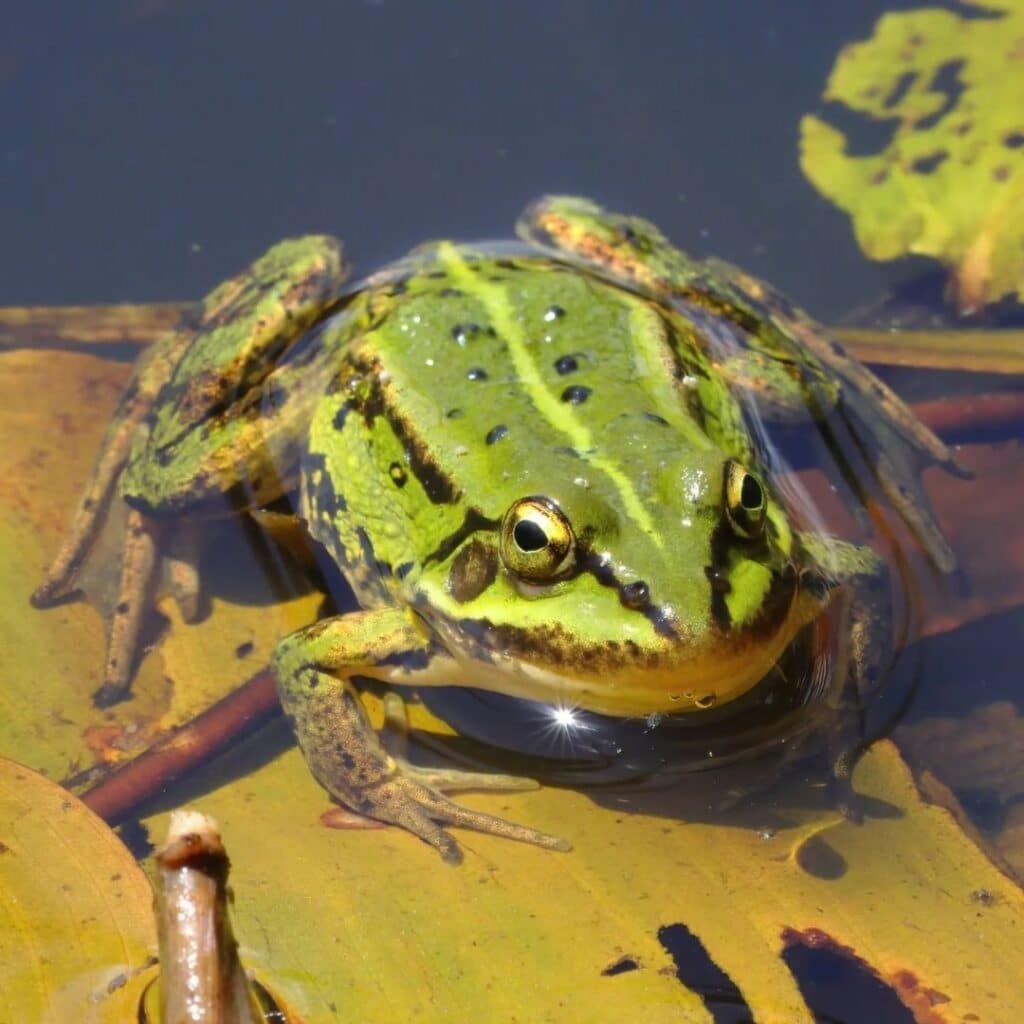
673	674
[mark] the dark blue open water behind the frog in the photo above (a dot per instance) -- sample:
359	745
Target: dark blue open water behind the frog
150	147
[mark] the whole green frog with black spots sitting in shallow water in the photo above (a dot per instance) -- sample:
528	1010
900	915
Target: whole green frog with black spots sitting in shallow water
540	465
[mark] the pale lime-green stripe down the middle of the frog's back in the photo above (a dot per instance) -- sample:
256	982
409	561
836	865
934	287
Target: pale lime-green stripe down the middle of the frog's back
562	416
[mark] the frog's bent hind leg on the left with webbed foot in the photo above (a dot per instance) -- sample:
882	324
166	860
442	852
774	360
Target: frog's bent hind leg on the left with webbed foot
189	437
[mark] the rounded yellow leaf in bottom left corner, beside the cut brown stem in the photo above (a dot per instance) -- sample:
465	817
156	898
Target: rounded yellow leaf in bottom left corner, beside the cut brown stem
77	934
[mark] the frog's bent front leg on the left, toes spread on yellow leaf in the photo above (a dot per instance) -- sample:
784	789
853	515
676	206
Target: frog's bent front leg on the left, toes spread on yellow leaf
316	668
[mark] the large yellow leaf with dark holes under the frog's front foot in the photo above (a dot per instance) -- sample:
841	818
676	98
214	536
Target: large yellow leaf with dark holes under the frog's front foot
373	924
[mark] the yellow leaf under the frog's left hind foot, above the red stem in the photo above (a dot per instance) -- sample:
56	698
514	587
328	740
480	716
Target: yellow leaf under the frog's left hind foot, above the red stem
58	405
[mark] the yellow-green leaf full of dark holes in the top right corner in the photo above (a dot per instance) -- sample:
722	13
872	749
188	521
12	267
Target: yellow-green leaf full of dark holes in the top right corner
950	184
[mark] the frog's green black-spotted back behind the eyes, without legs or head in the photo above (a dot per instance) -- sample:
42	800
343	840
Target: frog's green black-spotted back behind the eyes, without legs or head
488	379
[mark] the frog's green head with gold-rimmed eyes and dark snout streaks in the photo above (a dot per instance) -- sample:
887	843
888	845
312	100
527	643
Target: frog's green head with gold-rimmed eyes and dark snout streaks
670	590
